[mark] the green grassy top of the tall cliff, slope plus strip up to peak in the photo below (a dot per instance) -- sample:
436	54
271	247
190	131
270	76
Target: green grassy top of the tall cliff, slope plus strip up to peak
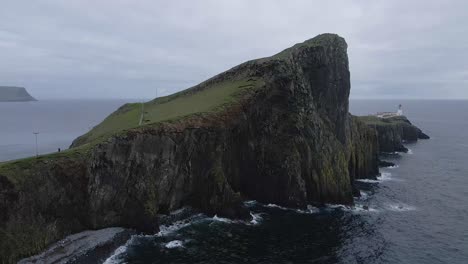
207	97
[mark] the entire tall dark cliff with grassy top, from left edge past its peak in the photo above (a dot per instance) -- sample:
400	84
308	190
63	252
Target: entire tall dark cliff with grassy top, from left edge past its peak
276	130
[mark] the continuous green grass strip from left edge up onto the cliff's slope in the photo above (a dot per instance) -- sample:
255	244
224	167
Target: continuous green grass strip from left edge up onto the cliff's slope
209	99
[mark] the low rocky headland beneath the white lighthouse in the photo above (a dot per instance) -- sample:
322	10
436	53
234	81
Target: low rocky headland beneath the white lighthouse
393	132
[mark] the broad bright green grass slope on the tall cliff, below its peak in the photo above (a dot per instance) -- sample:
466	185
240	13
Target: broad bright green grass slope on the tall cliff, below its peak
209	99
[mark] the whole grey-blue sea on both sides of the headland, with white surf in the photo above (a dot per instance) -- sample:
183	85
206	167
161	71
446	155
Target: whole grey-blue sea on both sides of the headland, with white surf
416	212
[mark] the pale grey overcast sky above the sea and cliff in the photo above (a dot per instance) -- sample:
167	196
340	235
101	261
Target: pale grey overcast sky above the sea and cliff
128	49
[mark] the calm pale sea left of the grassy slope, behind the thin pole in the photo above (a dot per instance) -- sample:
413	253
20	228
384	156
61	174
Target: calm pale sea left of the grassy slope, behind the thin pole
58	123
